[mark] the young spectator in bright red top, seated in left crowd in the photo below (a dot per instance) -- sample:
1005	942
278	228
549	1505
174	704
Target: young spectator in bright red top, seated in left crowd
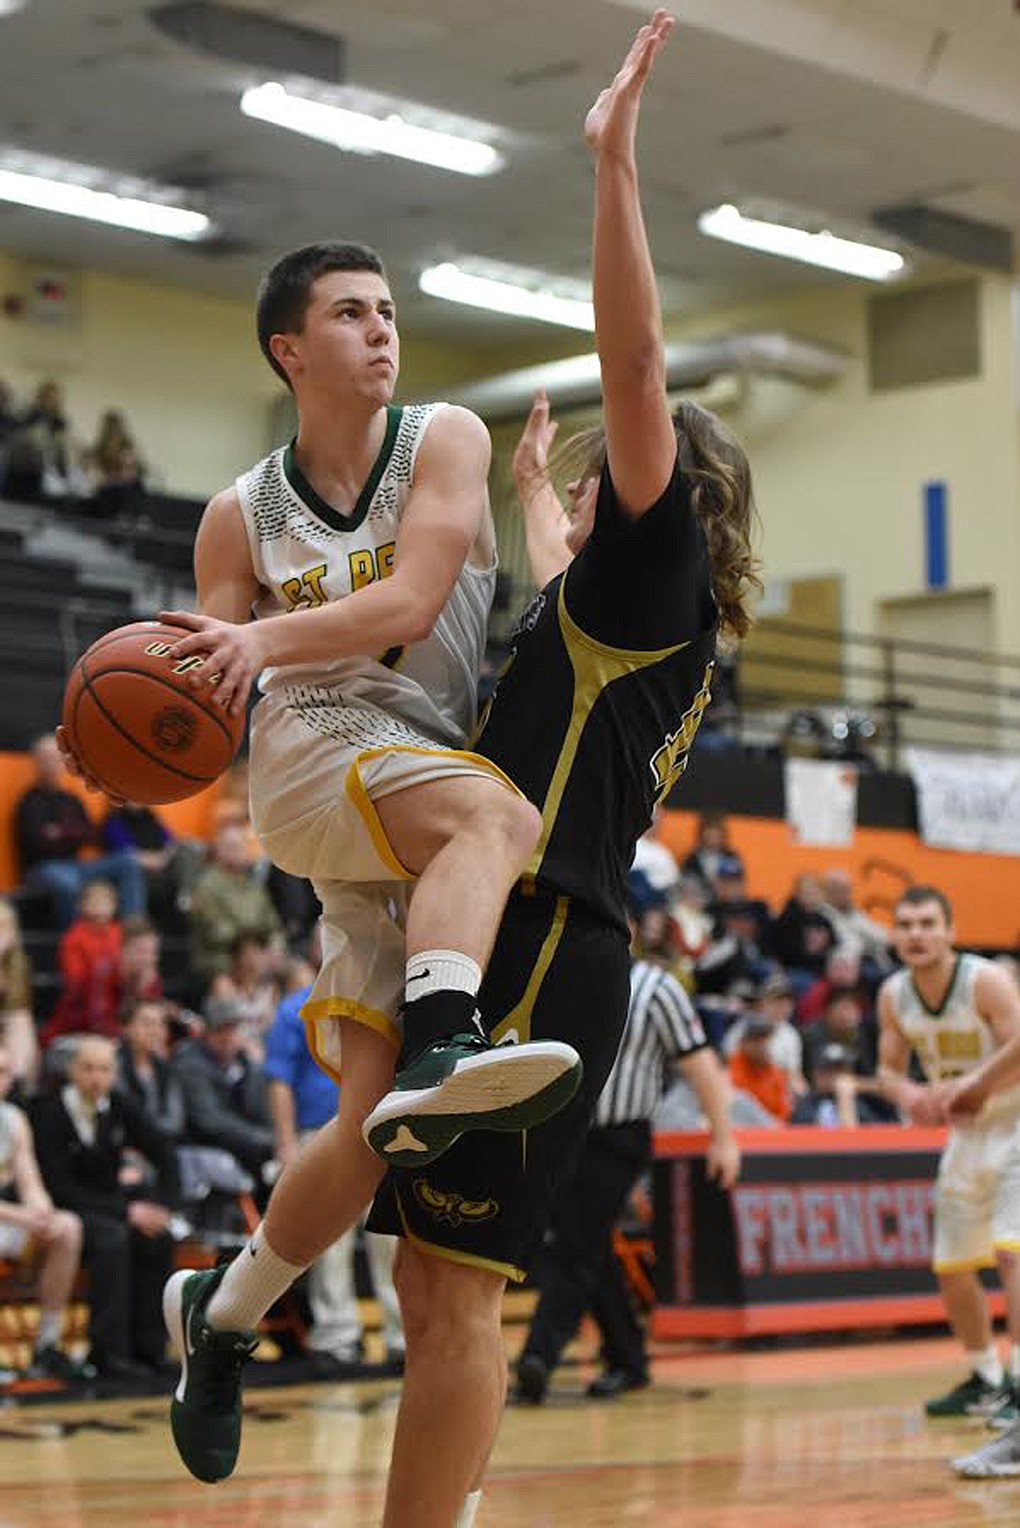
89	959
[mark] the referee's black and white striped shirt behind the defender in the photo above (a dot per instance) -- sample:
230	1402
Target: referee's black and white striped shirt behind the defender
662	1028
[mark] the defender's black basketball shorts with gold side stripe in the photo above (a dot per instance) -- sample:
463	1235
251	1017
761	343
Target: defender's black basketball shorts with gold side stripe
558	973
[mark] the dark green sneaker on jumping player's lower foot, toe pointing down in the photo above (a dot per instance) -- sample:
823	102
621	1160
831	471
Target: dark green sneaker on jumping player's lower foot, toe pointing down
205	1414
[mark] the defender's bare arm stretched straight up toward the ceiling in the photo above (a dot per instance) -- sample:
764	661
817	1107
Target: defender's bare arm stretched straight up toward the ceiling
641	436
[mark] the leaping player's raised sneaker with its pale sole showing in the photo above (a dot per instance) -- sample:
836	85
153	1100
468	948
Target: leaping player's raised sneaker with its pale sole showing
466	1084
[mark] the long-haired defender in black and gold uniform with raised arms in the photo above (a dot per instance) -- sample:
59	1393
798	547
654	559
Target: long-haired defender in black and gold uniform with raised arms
593	719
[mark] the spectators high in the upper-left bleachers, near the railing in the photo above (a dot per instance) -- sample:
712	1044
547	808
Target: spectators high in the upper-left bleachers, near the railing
44	459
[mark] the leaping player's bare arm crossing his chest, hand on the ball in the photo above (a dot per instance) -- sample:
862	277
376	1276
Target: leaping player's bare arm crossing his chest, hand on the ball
442	522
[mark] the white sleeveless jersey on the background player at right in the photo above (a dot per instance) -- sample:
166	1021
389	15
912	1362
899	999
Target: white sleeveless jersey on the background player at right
954	1040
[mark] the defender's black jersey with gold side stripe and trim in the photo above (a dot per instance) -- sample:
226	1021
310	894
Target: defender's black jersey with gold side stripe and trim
610	672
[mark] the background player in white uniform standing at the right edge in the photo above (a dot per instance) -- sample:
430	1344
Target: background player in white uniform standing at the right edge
954	1012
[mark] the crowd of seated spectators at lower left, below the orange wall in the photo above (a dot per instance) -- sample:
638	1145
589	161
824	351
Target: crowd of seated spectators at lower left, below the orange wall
147	1102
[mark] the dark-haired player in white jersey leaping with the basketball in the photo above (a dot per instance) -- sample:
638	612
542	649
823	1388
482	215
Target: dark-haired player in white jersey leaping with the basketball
367	555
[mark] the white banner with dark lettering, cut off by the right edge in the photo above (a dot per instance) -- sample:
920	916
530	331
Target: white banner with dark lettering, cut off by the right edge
967	801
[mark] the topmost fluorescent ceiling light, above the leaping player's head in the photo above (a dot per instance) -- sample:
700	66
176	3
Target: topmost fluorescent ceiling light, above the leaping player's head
361	134
